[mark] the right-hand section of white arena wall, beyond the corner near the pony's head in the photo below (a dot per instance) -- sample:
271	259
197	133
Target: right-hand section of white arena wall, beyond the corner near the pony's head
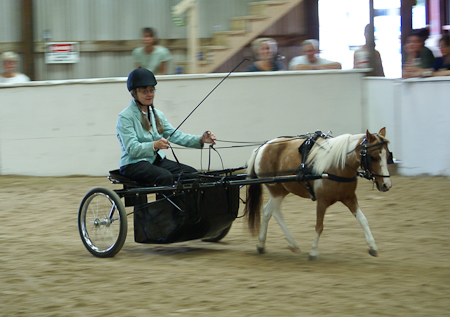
419	112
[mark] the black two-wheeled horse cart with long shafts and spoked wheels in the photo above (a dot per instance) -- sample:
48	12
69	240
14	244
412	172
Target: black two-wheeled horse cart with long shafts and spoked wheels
201	207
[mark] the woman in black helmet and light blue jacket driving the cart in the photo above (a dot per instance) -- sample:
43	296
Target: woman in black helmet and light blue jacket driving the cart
143	131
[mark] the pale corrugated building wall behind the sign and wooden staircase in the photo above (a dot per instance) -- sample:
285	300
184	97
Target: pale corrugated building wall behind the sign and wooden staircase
98	24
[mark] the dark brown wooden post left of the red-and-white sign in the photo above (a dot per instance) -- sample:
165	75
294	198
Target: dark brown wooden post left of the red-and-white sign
27	38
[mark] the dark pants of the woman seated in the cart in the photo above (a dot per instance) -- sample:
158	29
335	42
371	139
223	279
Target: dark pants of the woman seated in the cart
162	172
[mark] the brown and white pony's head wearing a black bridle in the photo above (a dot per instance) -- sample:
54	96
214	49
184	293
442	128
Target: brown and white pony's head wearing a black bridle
375	157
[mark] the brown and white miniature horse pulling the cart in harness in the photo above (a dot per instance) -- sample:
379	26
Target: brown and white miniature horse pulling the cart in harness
335	161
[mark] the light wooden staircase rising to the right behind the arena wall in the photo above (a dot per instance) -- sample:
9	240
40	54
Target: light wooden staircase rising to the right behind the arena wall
244	29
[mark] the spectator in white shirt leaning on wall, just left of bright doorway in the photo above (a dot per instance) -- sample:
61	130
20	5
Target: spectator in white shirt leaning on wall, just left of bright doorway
310	59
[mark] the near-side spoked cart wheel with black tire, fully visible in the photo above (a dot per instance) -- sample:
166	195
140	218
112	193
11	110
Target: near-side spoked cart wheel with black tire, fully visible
102	222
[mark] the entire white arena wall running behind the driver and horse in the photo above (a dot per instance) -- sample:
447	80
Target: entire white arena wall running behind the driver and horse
60	128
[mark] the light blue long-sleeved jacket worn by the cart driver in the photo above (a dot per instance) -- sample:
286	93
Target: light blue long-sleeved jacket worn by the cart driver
137	144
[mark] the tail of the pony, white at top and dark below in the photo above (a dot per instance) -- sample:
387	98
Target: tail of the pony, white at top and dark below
253	202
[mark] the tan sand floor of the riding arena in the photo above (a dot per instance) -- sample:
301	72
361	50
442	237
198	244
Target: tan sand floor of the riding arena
46	271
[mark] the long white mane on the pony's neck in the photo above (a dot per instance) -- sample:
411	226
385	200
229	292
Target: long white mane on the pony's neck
332	152
